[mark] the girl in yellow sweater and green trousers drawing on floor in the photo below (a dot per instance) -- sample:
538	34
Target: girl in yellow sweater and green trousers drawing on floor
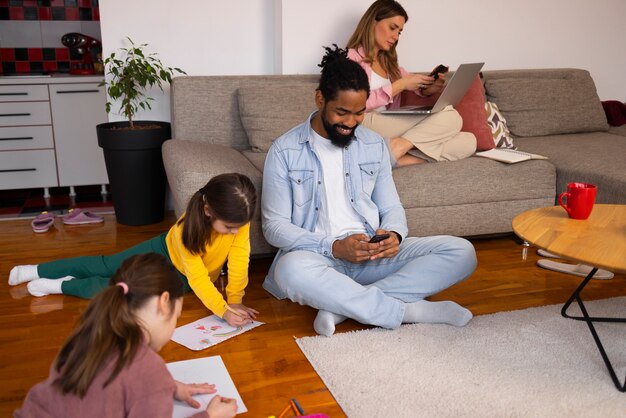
214	229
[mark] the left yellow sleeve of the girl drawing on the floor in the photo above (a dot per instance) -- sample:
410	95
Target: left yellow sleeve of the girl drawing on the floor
193	267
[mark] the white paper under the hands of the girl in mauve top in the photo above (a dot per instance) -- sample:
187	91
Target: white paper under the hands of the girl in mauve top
204	370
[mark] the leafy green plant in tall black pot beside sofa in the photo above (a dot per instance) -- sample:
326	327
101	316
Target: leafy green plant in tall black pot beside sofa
132	149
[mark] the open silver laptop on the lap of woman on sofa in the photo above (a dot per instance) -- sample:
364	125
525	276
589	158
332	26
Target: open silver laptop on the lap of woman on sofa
452	93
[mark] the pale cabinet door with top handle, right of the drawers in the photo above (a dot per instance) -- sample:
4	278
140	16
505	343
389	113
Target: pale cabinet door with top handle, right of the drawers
76	110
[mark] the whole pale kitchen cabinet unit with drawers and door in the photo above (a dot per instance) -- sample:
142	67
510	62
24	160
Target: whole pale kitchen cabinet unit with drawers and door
48	132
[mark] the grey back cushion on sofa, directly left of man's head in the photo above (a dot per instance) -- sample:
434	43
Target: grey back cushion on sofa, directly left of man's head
269	111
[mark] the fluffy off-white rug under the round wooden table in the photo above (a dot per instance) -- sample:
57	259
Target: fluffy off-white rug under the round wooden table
528	363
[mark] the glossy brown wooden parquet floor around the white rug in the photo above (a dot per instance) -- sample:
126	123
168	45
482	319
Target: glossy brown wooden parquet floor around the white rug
266	365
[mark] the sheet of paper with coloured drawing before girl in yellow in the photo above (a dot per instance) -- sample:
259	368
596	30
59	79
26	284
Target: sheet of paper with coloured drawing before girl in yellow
208	331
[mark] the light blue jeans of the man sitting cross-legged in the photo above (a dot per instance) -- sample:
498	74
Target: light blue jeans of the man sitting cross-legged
374	292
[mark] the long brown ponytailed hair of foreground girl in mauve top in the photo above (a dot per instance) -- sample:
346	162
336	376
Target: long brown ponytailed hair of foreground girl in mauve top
109	327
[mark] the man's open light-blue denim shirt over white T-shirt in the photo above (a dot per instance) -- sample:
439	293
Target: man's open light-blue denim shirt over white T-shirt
293	184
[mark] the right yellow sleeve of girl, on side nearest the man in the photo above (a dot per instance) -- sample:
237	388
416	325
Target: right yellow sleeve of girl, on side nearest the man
238	263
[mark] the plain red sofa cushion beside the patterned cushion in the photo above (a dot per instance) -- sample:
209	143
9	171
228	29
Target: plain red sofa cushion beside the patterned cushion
472	110
